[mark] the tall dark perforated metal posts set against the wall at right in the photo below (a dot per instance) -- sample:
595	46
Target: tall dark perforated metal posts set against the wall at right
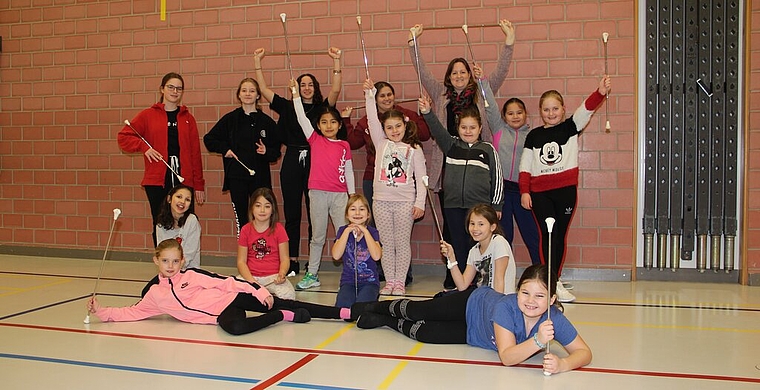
690	141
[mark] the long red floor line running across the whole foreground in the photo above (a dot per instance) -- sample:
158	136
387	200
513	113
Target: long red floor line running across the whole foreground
385	356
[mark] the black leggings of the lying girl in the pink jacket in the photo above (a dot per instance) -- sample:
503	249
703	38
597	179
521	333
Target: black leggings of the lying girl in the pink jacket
234	320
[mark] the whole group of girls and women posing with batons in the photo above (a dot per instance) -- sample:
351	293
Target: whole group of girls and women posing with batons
480	187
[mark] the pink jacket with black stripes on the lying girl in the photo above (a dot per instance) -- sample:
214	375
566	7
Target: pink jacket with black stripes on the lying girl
194	296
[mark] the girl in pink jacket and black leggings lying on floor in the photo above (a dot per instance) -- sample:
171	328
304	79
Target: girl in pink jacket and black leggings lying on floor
202	297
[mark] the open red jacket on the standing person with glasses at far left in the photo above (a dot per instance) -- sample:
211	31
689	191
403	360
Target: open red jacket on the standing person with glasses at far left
151	124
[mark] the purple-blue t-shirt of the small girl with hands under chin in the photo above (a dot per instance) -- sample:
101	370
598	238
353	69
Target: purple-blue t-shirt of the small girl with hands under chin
366	266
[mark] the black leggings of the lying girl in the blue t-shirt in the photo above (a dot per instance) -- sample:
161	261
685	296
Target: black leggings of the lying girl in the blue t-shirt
434	321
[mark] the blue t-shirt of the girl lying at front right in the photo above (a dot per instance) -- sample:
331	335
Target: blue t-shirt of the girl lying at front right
486	307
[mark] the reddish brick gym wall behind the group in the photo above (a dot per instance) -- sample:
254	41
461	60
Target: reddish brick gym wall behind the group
72	70
